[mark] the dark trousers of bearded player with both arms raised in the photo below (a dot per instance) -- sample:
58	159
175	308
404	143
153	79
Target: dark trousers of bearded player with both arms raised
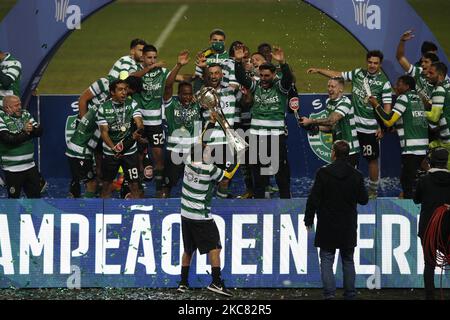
282	176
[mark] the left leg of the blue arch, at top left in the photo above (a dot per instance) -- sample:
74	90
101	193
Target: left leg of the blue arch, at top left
34	29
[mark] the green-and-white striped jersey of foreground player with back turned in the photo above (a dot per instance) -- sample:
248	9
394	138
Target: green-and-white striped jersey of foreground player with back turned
198	185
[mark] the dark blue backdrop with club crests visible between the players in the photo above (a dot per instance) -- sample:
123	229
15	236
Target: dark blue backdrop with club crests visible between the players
305	154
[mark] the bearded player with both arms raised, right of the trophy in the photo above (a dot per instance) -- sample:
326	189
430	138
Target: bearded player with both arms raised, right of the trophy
268	120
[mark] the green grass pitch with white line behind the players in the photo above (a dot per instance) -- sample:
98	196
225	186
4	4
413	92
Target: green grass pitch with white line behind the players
89	53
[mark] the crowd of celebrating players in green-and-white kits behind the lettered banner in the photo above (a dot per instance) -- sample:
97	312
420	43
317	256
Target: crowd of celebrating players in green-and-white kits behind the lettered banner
130	119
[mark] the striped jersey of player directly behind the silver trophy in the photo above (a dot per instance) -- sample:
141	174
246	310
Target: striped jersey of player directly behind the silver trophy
227	96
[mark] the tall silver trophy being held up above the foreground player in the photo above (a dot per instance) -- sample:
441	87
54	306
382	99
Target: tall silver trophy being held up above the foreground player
208	98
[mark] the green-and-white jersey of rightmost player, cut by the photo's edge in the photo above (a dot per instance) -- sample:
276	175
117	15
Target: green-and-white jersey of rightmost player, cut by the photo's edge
441	98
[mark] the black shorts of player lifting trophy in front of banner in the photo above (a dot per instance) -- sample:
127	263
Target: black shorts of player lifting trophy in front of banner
200	234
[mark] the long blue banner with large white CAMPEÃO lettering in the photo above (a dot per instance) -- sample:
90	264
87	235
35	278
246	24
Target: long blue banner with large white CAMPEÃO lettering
117	243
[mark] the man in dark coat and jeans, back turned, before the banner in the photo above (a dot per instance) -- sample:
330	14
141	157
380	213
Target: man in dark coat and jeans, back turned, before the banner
337	190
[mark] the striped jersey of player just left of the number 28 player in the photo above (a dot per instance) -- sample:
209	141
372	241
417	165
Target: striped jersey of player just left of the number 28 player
345	129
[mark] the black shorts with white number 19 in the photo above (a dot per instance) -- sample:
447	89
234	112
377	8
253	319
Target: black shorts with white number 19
129	163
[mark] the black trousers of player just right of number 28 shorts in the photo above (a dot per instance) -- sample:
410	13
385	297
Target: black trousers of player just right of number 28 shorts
408	176
